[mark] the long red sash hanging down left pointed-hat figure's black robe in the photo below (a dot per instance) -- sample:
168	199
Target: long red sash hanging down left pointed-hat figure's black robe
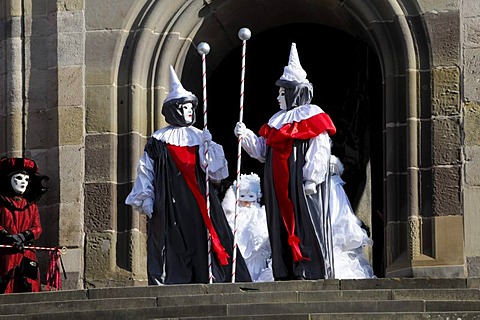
185	159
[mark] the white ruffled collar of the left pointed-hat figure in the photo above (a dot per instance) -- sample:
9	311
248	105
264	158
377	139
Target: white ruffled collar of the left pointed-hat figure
179	136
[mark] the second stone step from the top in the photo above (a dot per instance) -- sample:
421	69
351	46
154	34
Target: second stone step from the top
249	297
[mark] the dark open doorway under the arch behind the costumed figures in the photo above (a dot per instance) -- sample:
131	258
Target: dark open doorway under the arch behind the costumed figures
346	78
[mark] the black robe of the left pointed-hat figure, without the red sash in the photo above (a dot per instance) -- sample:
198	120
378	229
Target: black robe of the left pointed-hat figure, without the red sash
177	235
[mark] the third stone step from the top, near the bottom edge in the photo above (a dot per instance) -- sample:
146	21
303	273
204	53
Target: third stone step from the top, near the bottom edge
118	310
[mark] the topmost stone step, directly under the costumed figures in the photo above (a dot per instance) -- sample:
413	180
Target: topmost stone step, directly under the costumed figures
287	286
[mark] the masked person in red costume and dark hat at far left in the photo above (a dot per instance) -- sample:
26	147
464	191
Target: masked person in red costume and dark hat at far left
20	187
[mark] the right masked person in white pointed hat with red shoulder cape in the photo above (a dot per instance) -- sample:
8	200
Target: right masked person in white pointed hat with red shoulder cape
295	147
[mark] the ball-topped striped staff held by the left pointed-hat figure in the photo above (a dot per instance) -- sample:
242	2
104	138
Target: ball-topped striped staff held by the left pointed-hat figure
203	49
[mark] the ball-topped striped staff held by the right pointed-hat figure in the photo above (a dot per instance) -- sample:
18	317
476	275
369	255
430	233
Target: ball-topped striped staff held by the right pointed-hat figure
244	34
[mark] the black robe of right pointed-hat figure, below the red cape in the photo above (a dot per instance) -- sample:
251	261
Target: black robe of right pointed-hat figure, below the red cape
312	224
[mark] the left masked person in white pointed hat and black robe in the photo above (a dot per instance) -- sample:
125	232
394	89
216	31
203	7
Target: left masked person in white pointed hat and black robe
170	189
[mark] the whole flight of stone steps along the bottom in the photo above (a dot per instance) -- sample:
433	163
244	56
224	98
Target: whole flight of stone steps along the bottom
392	298
